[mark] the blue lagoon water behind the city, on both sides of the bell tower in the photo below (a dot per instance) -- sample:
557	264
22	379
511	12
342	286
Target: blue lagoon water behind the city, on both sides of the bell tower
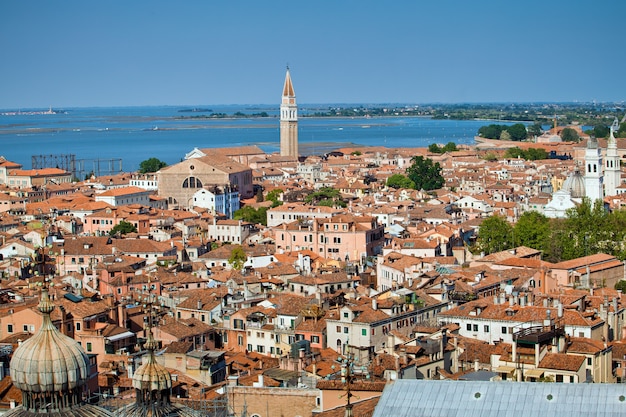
133	134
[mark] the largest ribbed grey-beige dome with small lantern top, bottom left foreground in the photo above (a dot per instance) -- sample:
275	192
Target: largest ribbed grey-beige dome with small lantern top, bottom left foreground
49	361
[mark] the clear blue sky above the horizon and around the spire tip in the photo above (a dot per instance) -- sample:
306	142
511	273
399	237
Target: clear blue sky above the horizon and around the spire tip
117	53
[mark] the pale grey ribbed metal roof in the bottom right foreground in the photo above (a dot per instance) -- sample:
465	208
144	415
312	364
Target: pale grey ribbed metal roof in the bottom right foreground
416	398
